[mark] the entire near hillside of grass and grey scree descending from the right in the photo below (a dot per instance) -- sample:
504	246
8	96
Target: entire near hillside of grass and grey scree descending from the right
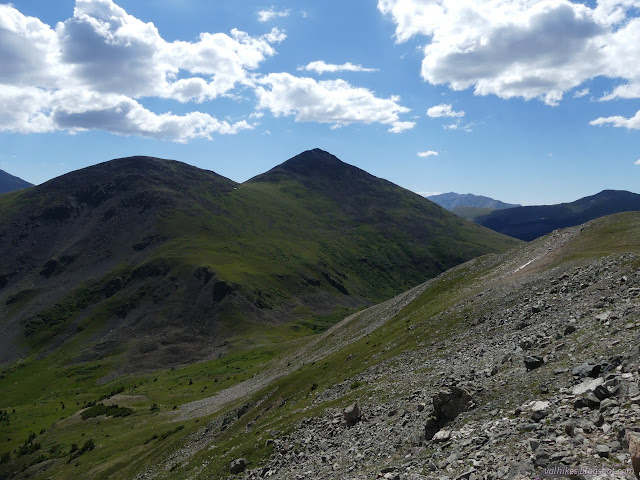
498	369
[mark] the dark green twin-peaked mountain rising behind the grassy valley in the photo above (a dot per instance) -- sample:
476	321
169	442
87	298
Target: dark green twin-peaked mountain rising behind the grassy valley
156	262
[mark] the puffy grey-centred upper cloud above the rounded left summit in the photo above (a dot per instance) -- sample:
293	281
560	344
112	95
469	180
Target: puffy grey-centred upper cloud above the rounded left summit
112	51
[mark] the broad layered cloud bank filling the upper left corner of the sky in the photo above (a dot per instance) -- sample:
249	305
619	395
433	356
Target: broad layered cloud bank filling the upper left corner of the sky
93	70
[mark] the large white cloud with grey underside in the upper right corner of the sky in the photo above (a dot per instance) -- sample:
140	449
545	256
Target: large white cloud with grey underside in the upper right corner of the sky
523	48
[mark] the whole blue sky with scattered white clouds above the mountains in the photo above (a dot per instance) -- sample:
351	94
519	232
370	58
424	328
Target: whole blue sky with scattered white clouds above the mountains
526	101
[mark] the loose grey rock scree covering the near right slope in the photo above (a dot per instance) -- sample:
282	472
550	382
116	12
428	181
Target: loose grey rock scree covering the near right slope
541	380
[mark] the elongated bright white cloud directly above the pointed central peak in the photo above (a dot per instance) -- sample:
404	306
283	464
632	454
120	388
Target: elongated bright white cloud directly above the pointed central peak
331	101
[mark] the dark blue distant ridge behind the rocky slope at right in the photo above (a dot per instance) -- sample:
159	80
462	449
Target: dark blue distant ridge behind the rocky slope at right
528	223
